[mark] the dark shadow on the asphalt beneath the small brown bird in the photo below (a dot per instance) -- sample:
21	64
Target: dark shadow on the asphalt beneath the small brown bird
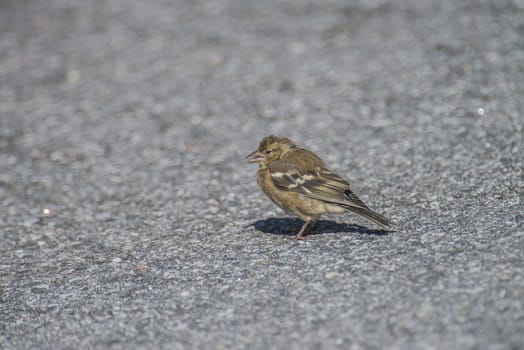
290	226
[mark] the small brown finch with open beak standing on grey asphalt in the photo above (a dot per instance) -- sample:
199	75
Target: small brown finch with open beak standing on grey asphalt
298	181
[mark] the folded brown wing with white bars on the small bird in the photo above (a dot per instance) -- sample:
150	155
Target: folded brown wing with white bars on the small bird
317	183
